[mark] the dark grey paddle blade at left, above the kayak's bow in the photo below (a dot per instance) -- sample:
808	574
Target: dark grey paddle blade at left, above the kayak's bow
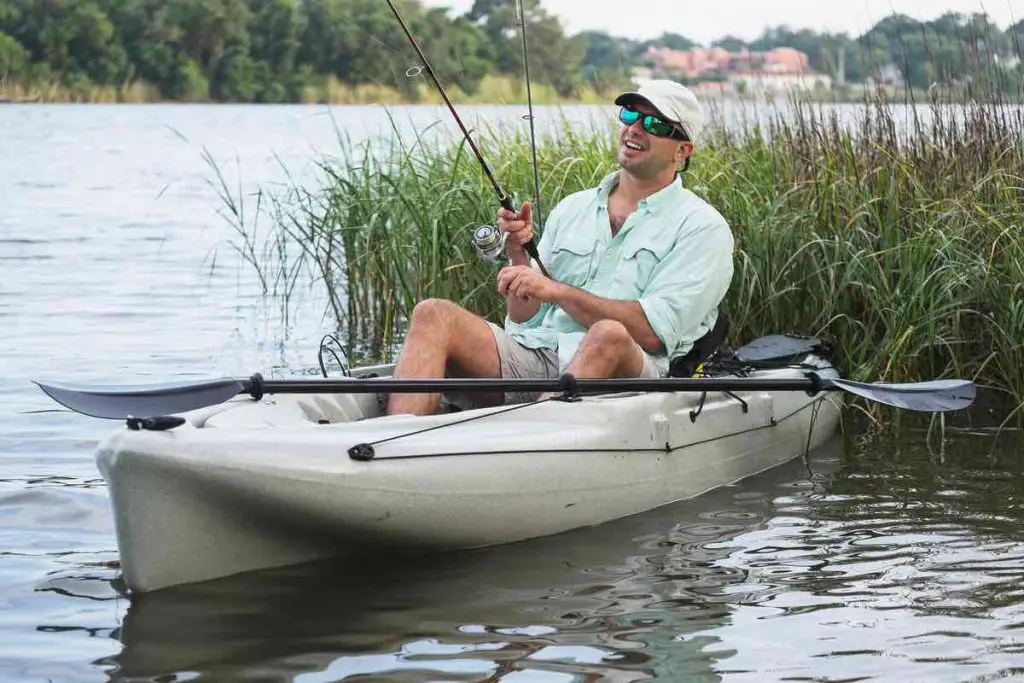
143	402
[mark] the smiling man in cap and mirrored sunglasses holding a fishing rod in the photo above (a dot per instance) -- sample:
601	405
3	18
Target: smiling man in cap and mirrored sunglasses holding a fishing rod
639	266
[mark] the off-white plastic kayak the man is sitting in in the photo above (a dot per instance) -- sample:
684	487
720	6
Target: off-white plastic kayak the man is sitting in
247	486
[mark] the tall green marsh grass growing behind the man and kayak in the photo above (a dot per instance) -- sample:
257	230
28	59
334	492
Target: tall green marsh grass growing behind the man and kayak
904	247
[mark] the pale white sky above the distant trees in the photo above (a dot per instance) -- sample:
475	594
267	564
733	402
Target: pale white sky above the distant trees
748	19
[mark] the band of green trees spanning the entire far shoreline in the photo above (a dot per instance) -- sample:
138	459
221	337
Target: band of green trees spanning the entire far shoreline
303	51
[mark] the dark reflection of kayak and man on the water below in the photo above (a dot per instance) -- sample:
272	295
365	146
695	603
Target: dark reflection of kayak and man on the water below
521	608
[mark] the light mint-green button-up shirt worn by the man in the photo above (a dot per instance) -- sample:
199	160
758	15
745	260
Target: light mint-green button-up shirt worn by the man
673	255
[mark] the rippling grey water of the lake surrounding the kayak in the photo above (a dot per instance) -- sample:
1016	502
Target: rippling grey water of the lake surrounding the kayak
877	560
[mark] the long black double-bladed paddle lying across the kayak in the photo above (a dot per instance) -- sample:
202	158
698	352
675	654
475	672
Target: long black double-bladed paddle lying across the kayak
120	403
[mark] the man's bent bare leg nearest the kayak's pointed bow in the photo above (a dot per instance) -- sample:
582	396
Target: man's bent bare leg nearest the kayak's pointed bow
444	339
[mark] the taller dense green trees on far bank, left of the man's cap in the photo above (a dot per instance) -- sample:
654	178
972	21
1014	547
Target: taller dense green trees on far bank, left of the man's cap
282	51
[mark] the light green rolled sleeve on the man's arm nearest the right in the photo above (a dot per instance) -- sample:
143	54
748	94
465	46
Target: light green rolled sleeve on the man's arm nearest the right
688	286
